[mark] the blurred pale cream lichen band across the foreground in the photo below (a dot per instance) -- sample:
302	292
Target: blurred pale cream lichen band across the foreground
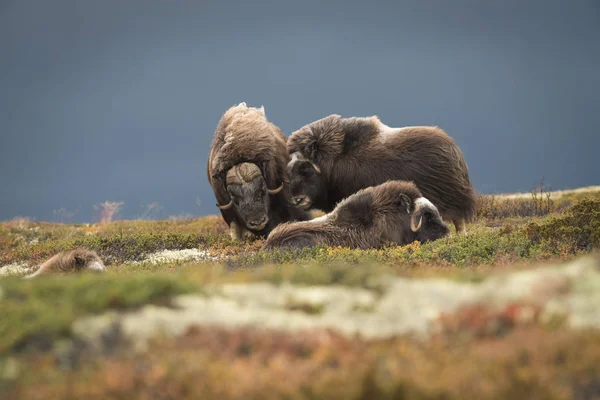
407	306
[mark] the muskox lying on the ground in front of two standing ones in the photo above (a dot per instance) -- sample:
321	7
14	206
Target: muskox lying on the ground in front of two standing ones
394	212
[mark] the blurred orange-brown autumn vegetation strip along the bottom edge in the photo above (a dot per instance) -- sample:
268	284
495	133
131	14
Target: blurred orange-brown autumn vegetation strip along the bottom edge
208	363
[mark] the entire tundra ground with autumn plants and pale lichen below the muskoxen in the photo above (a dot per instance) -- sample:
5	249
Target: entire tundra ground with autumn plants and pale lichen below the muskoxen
510	311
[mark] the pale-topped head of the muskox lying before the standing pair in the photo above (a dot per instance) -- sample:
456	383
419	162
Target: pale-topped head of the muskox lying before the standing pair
426	222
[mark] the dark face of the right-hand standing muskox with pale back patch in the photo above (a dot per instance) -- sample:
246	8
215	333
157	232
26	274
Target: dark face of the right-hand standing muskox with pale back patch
306	182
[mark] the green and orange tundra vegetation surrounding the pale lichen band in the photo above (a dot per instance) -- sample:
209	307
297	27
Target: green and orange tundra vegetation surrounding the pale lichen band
509	233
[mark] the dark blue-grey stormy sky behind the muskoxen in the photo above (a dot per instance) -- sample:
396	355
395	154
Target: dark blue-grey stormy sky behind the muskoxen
118	100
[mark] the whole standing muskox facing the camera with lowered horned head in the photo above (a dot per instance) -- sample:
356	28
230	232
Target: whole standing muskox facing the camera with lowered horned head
247	171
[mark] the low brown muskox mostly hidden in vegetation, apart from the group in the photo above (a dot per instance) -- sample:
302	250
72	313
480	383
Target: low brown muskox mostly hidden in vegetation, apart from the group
73	261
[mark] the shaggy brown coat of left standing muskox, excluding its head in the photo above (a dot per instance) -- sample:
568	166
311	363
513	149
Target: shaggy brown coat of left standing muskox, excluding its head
244	135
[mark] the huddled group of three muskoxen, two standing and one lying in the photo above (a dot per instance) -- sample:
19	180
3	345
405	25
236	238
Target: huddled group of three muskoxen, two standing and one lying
377	185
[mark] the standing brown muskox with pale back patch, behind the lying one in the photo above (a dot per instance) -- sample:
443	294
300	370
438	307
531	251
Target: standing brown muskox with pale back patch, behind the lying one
334	157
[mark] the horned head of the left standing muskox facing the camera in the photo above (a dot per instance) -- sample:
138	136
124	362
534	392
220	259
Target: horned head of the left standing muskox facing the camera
249	195
